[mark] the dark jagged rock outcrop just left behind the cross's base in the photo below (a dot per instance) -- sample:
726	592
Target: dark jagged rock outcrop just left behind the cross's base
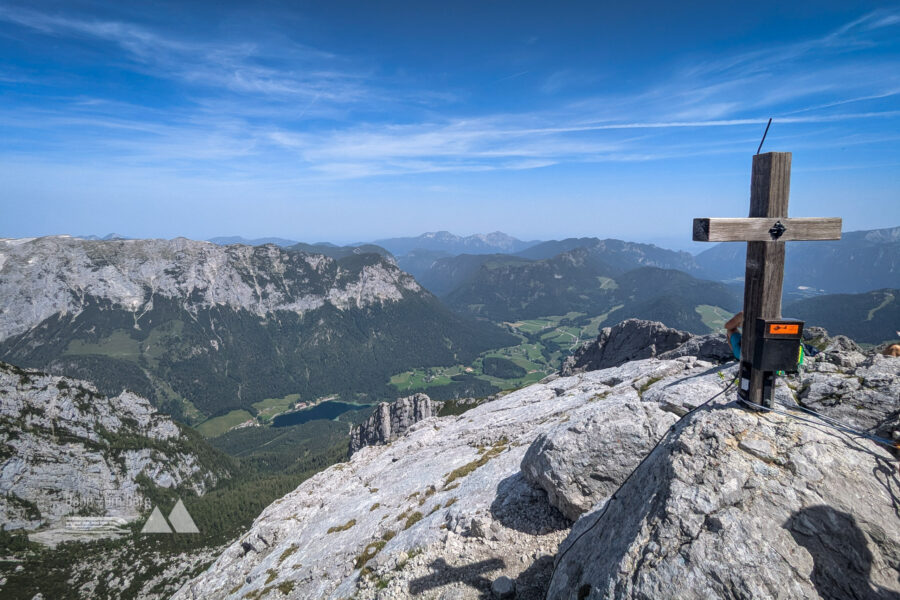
634	339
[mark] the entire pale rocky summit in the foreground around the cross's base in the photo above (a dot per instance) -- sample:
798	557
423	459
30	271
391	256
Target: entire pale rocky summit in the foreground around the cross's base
643	480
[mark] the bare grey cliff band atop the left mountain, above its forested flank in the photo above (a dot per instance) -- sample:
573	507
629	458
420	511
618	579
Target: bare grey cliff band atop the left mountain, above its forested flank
58	274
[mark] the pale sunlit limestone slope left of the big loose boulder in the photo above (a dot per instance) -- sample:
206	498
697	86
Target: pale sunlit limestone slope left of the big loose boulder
445	509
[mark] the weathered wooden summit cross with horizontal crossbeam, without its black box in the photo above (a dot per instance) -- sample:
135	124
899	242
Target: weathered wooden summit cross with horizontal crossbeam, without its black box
765	231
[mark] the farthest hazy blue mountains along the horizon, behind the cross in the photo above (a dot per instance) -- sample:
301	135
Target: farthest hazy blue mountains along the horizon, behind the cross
860	262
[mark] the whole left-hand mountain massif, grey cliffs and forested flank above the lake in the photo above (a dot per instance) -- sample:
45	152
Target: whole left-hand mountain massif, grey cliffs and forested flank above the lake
203	329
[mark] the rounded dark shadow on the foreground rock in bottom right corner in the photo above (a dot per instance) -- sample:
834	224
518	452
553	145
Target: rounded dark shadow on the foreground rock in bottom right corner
842	561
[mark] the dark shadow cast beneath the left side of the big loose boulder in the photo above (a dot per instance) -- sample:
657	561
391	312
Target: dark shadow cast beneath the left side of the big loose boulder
521	507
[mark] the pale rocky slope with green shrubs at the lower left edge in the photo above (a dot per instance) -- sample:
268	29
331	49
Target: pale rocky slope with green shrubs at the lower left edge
66	449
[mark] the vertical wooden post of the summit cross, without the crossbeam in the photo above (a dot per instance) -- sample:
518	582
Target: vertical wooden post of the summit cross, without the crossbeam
770	187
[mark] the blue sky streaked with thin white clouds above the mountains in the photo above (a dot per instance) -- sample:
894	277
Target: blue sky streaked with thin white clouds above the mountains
350	121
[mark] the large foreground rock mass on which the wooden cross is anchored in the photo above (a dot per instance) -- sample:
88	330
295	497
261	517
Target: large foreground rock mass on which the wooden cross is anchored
735	504
